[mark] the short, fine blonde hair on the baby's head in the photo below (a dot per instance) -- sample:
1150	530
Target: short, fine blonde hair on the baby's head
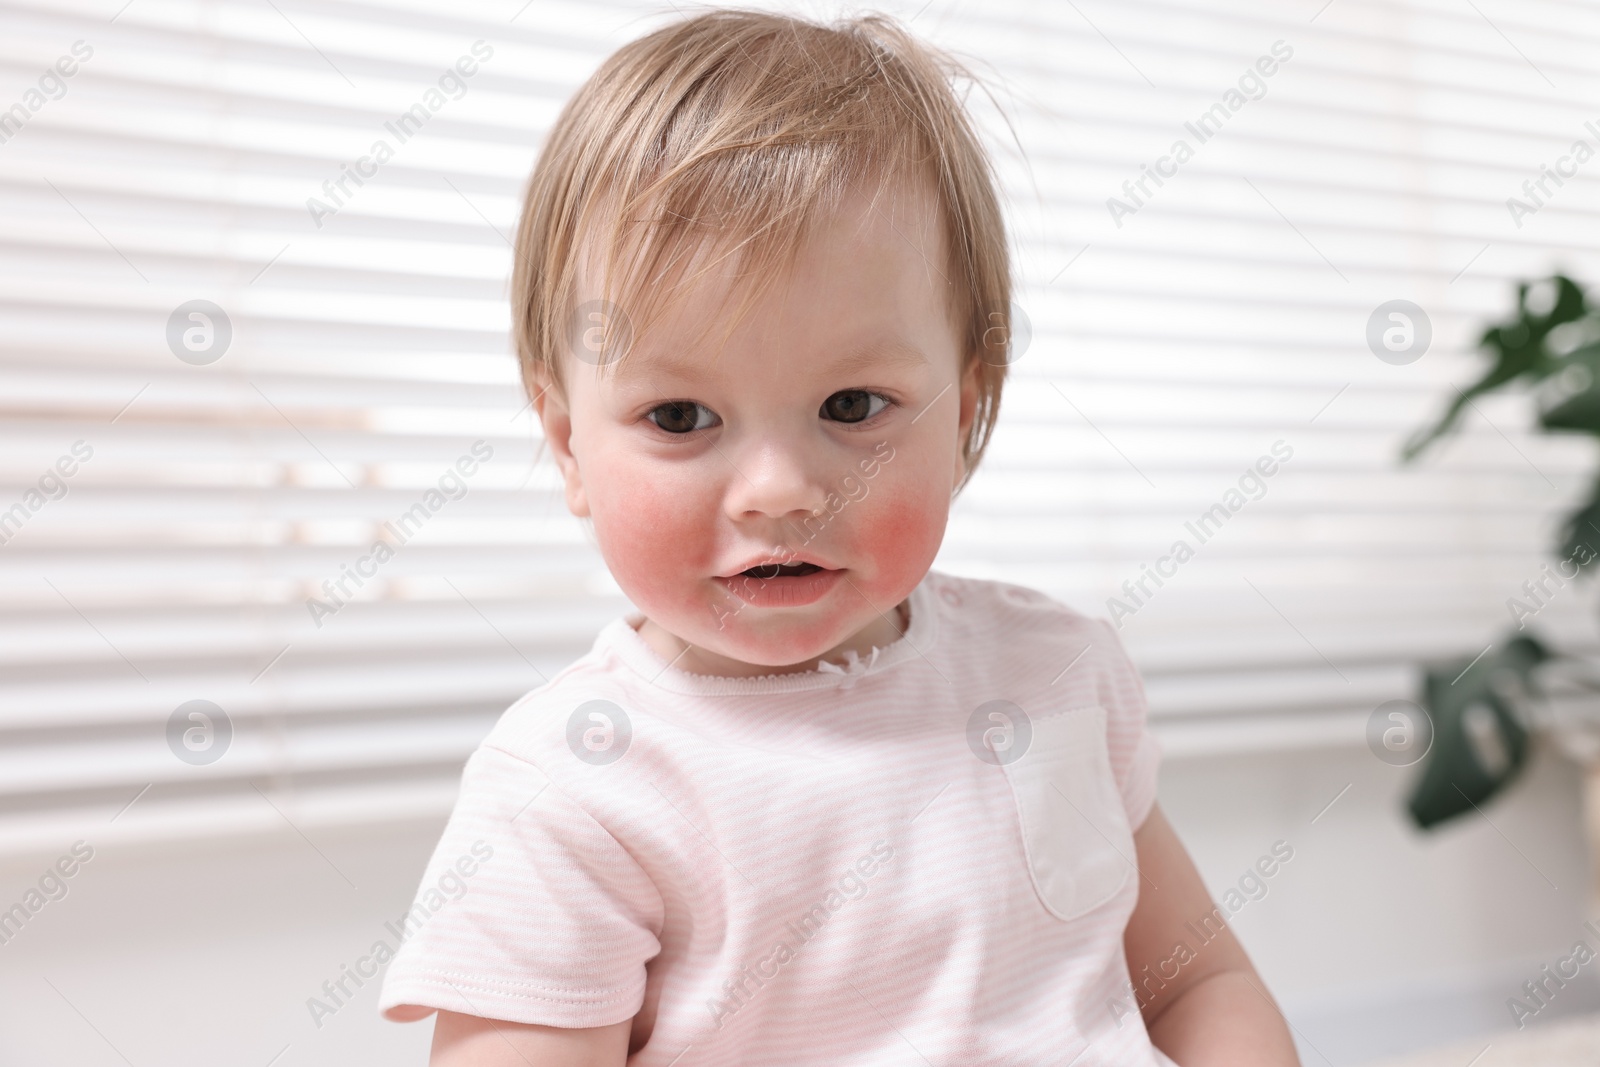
740	130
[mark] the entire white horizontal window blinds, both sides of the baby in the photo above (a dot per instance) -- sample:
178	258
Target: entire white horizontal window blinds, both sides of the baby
370	354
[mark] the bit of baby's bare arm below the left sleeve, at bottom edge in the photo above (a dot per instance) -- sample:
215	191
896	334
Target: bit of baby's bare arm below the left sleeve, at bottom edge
473	1042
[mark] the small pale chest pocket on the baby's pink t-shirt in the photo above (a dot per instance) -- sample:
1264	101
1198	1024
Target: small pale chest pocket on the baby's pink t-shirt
1074	825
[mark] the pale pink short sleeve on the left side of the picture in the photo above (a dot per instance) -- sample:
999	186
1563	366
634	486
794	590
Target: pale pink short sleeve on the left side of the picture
529	909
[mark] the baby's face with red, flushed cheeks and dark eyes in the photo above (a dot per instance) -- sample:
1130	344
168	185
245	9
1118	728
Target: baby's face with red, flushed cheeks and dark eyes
774	503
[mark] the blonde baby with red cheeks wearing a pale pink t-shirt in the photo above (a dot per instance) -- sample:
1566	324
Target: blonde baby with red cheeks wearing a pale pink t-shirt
814	804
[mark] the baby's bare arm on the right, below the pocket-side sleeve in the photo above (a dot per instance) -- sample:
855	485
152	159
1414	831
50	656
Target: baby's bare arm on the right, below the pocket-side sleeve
1206	1005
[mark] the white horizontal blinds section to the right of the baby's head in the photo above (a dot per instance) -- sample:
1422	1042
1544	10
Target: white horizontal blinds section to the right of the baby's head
1230	313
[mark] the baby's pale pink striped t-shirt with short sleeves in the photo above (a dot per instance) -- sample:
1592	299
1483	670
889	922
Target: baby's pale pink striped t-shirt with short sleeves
924	857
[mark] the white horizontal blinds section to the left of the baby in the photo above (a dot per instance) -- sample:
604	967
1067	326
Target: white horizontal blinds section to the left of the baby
367	382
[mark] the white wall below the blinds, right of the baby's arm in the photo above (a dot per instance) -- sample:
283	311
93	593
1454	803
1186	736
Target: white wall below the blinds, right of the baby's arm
1378	938
